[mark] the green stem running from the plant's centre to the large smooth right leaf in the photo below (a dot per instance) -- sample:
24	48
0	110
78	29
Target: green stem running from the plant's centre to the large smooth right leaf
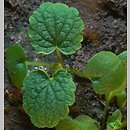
79	73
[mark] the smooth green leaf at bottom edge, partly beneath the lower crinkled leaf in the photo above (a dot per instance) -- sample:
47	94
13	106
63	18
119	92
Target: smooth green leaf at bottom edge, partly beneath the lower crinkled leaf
82	122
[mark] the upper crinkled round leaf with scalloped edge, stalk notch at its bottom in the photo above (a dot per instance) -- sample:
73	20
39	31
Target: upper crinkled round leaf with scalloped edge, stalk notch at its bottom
55	25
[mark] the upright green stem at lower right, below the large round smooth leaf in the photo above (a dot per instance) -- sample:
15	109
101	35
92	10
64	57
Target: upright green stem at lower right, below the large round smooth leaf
105	113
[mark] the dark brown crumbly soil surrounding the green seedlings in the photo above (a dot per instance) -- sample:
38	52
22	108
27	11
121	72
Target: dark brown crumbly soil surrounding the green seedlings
105	29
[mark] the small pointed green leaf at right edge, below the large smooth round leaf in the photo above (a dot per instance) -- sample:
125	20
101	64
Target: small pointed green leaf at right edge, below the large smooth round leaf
121	99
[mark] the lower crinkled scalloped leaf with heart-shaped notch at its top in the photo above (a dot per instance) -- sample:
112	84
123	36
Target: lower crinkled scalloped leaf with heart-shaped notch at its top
45	99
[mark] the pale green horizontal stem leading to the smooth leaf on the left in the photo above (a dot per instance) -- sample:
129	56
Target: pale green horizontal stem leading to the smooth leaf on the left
39	63
